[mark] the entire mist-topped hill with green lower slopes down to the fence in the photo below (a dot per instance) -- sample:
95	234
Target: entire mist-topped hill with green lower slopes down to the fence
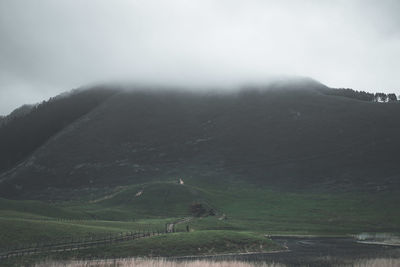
290	157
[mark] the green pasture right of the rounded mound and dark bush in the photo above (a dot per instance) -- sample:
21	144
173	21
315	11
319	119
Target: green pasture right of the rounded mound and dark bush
265	210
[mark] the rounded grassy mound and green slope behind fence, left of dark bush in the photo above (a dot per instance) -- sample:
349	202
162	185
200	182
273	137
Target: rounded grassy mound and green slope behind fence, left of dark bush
29	222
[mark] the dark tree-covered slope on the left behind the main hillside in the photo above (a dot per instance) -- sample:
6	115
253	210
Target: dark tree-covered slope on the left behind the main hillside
26	130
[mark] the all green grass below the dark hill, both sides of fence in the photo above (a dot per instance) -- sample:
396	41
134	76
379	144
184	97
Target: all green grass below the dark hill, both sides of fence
244	214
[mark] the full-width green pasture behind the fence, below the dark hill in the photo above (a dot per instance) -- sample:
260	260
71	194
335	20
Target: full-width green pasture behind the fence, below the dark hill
247	209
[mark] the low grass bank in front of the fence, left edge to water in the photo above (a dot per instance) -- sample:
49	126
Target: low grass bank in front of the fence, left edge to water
174	244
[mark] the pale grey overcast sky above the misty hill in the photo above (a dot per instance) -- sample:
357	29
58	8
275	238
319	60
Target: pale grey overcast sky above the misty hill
47	46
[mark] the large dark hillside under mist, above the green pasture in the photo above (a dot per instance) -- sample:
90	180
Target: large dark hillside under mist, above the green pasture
291	138
